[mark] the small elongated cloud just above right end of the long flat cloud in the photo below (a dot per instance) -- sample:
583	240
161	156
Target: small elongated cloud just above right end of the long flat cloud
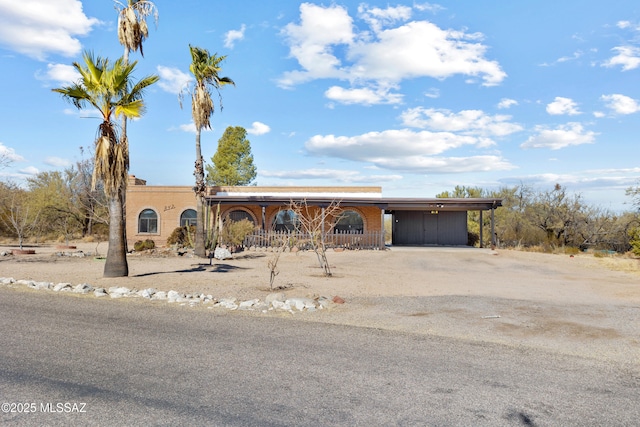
470	122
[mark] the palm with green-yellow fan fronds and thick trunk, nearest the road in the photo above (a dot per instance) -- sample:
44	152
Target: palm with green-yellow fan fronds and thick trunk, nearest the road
109	88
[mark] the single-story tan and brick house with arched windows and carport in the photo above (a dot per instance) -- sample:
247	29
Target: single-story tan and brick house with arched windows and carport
153	212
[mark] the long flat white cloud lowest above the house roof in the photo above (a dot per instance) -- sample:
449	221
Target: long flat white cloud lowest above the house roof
406	150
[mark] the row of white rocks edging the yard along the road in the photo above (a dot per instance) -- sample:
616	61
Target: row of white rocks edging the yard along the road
273	302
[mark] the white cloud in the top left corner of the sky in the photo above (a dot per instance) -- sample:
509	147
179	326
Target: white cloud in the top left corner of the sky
37	28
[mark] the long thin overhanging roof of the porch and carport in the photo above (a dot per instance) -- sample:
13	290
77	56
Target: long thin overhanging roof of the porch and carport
385	203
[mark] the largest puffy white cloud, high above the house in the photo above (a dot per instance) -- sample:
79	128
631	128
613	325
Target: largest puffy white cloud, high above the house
327	44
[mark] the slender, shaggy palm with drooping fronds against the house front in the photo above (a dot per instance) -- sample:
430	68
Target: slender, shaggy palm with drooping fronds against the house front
205	69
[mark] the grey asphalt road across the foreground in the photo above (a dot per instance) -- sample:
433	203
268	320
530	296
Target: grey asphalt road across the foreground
71	360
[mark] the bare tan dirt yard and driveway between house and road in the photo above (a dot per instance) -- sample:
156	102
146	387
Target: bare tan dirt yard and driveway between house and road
580	305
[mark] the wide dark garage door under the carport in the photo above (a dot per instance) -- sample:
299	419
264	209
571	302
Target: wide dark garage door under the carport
430	228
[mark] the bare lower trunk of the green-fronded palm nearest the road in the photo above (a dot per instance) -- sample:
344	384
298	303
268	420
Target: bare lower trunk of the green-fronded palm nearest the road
116	263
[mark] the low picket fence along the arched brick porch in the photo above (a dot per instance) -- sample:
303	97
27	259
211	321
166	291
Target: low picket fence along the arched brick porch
335	239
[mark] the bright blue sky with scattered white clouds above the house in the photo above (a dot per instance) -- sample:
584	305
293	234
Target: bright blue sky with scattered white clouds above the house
414	97
